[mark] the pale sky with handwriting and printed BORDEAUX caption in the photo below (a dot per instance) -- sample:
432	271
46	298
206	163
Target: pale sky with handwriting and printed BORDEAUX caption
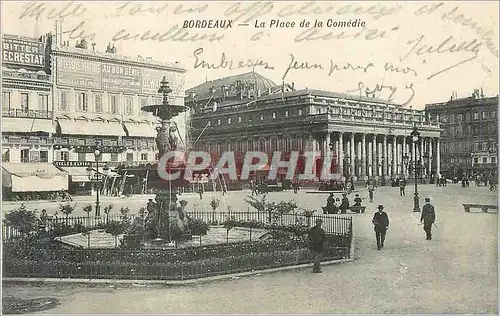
408	53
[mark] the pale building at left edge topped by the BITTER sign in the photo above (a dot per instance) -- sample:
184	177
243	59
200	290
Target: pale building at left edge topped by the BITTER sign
27	128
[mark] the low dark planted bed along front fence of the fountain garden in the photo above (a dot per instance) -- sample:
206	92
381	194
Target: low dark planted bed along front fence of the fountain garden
168	264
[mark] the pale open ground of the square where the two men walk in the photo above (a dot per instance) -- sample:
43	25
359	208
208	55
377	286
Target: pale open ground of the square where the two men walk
456	272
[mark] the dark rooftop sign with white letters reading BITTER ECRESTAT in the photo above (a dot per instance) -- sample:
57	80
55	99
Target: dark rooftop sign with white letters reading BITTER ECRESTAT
23	52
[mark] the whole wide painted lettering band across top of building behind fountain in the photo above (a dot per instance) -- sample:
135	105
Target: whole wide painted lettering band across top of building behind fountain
109	77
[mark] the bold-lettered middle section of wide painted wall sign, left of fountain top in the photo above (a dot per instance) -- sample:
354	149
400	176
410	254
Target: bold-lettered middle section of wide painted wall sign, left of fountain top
121	78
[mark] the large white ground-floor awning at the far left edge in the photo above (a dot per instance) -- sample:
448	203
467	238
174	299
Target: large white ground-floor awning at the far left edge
33	177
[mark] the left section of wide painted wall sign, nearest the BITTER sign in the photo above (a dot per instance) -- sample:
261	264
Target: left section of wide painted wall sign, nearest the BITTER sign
79	73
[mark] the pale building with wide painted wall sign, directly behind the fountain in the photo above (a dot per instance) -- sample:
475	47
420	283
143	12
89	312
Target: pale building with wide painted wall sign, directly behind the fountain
98	98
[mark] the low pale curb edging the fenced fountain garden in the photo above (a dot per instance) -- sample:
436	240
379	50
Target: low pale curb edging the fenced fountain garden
166	282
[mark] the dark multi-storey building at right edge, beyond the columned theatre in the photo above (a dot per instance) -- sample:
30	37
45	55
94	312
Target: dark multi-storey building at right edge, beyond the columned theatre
470	134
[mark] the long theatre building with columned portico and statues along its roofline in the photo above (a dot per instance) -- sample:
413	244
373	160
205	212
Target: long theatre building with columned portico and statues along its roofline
366	137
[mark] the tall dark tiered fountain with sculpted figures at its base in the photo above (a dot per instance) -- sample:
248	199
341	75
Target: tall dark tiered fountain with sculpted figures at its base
162	220
